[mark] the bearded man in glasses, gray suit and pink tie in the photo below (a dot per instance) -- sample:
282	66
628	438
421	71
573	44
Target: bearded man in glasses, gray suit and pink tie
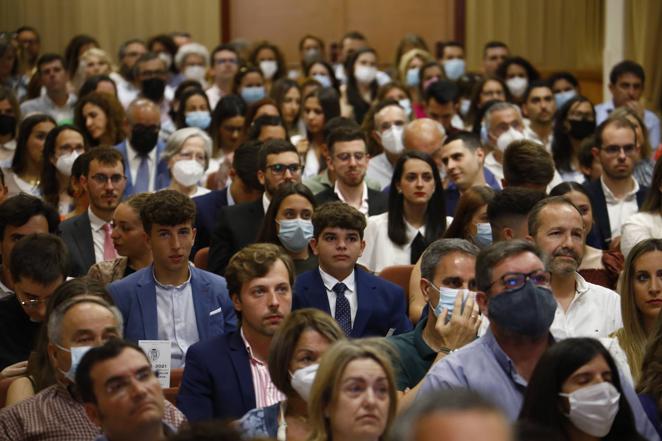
88	235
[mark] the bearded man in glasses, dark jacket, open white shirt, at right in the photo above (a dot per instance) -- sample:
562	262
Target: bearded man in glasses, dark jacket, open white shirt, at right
616	195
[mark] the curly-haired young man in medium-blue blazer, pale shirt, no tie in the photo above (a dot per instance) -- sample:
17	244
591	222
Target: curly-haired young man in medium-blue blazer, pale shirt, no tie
171	299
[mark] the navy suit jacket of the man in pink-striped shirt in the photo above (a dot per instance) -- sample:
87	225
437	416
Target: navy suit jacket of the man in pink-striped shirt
217	381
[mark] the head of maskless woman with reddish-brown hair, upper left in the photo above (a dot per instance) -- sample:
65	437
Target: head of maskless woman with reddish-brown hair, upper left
101	119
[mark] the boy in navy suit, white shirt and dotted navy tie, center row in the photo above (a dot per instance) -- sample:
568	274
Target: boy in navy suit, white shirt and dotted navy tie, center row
362	304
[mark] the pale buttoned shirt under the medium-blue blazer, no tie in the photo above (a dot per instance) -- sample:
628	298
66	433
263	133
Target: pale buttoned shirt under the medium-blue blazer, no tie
176	319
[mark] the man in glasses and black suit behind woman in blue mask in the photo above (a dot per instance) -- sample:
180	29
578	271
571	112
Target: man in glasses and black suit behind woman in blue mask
238	225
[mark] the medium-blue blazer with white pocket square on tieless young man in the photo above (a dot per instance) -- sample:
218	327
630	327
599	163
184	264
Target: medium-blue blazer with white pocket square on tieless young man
135	296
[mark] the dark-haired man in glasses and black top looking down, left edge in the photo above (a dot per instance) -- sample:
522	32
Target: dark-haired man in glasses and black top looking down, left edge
38	266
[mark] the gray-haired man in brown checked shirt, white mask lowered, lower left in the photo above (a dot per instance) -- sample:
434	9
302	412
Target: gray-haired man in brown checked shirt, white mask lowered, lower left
76	325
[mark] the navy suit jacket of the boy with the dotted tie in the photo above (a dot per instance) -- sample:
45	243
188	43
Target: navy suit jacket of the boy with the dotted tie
381	304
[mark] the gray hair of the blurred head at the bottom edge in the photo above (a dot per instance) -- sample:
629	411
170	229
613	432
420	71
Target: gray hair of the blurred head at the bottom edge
450	400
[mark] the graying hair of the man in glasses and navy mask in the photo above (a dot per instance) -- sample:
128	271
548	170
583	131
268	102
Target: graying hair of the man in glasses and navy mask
496	253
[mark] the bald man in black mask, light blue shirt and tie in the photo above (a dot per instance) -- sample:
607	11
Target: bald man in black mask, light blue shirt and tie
142	151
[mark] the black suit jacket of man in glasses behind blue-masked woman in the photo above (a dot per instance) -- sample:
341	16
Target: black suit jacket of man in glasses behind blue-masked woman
237	226
